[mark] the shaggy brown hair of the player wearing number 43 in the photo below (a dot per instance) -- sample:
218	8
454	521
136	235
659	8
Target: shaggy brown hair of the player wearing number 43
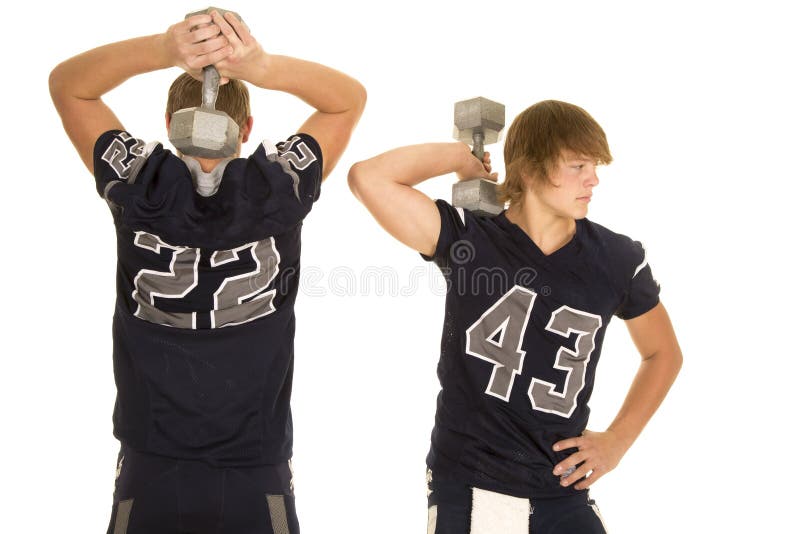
537	139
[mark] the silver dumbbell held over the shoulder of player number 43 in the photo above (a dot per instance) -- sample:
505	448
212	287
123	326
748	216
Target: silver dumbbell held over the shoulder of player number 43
478	121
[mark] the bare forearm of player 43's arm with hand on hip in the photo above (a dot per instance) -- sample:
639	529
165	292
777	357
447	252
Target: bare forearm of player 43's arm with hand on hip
653	380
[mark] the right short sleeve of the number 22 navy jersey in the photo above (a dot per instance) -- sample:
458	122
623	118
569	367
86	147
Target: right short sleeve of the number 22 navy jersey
292	169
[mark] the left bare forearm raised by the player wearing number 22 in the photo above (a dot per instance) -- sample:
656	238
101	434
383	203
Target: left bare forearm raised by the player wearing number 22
91	74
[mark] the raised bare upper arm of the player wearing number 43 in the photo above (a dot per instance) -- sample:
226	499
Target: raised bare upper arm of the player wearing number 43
406	213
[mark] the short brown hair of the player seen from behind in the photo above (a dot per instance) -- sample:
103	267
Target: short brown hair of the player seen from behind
233	99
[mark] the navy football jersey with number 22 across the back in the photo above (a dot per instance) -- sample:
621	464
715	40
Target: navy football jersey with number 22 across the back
203	327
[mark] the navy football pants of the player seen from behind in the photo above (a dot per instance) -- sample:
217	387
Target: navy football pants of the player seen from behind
155	495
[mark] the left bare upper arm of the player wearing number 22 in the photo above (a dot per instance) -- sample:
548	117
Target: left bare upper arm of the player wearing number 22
84	120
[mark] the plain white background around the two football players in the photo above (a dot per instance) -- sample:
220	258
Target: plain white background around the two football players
699	102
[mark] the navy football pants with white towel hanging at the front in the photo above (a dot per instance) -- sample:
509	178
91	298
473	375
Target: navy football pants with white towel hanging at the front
457	509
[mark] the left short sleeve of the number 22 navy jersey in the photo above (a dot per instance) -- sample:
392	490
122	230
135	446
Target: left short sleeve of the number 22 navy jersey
118	158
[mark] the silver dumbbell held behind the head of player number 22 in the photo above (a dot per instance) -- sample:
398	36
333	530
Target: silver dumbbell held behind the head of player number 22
204	131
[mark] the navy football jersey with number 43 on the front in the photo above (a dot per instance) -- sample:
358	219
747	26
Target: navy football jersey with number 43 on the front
521	341
